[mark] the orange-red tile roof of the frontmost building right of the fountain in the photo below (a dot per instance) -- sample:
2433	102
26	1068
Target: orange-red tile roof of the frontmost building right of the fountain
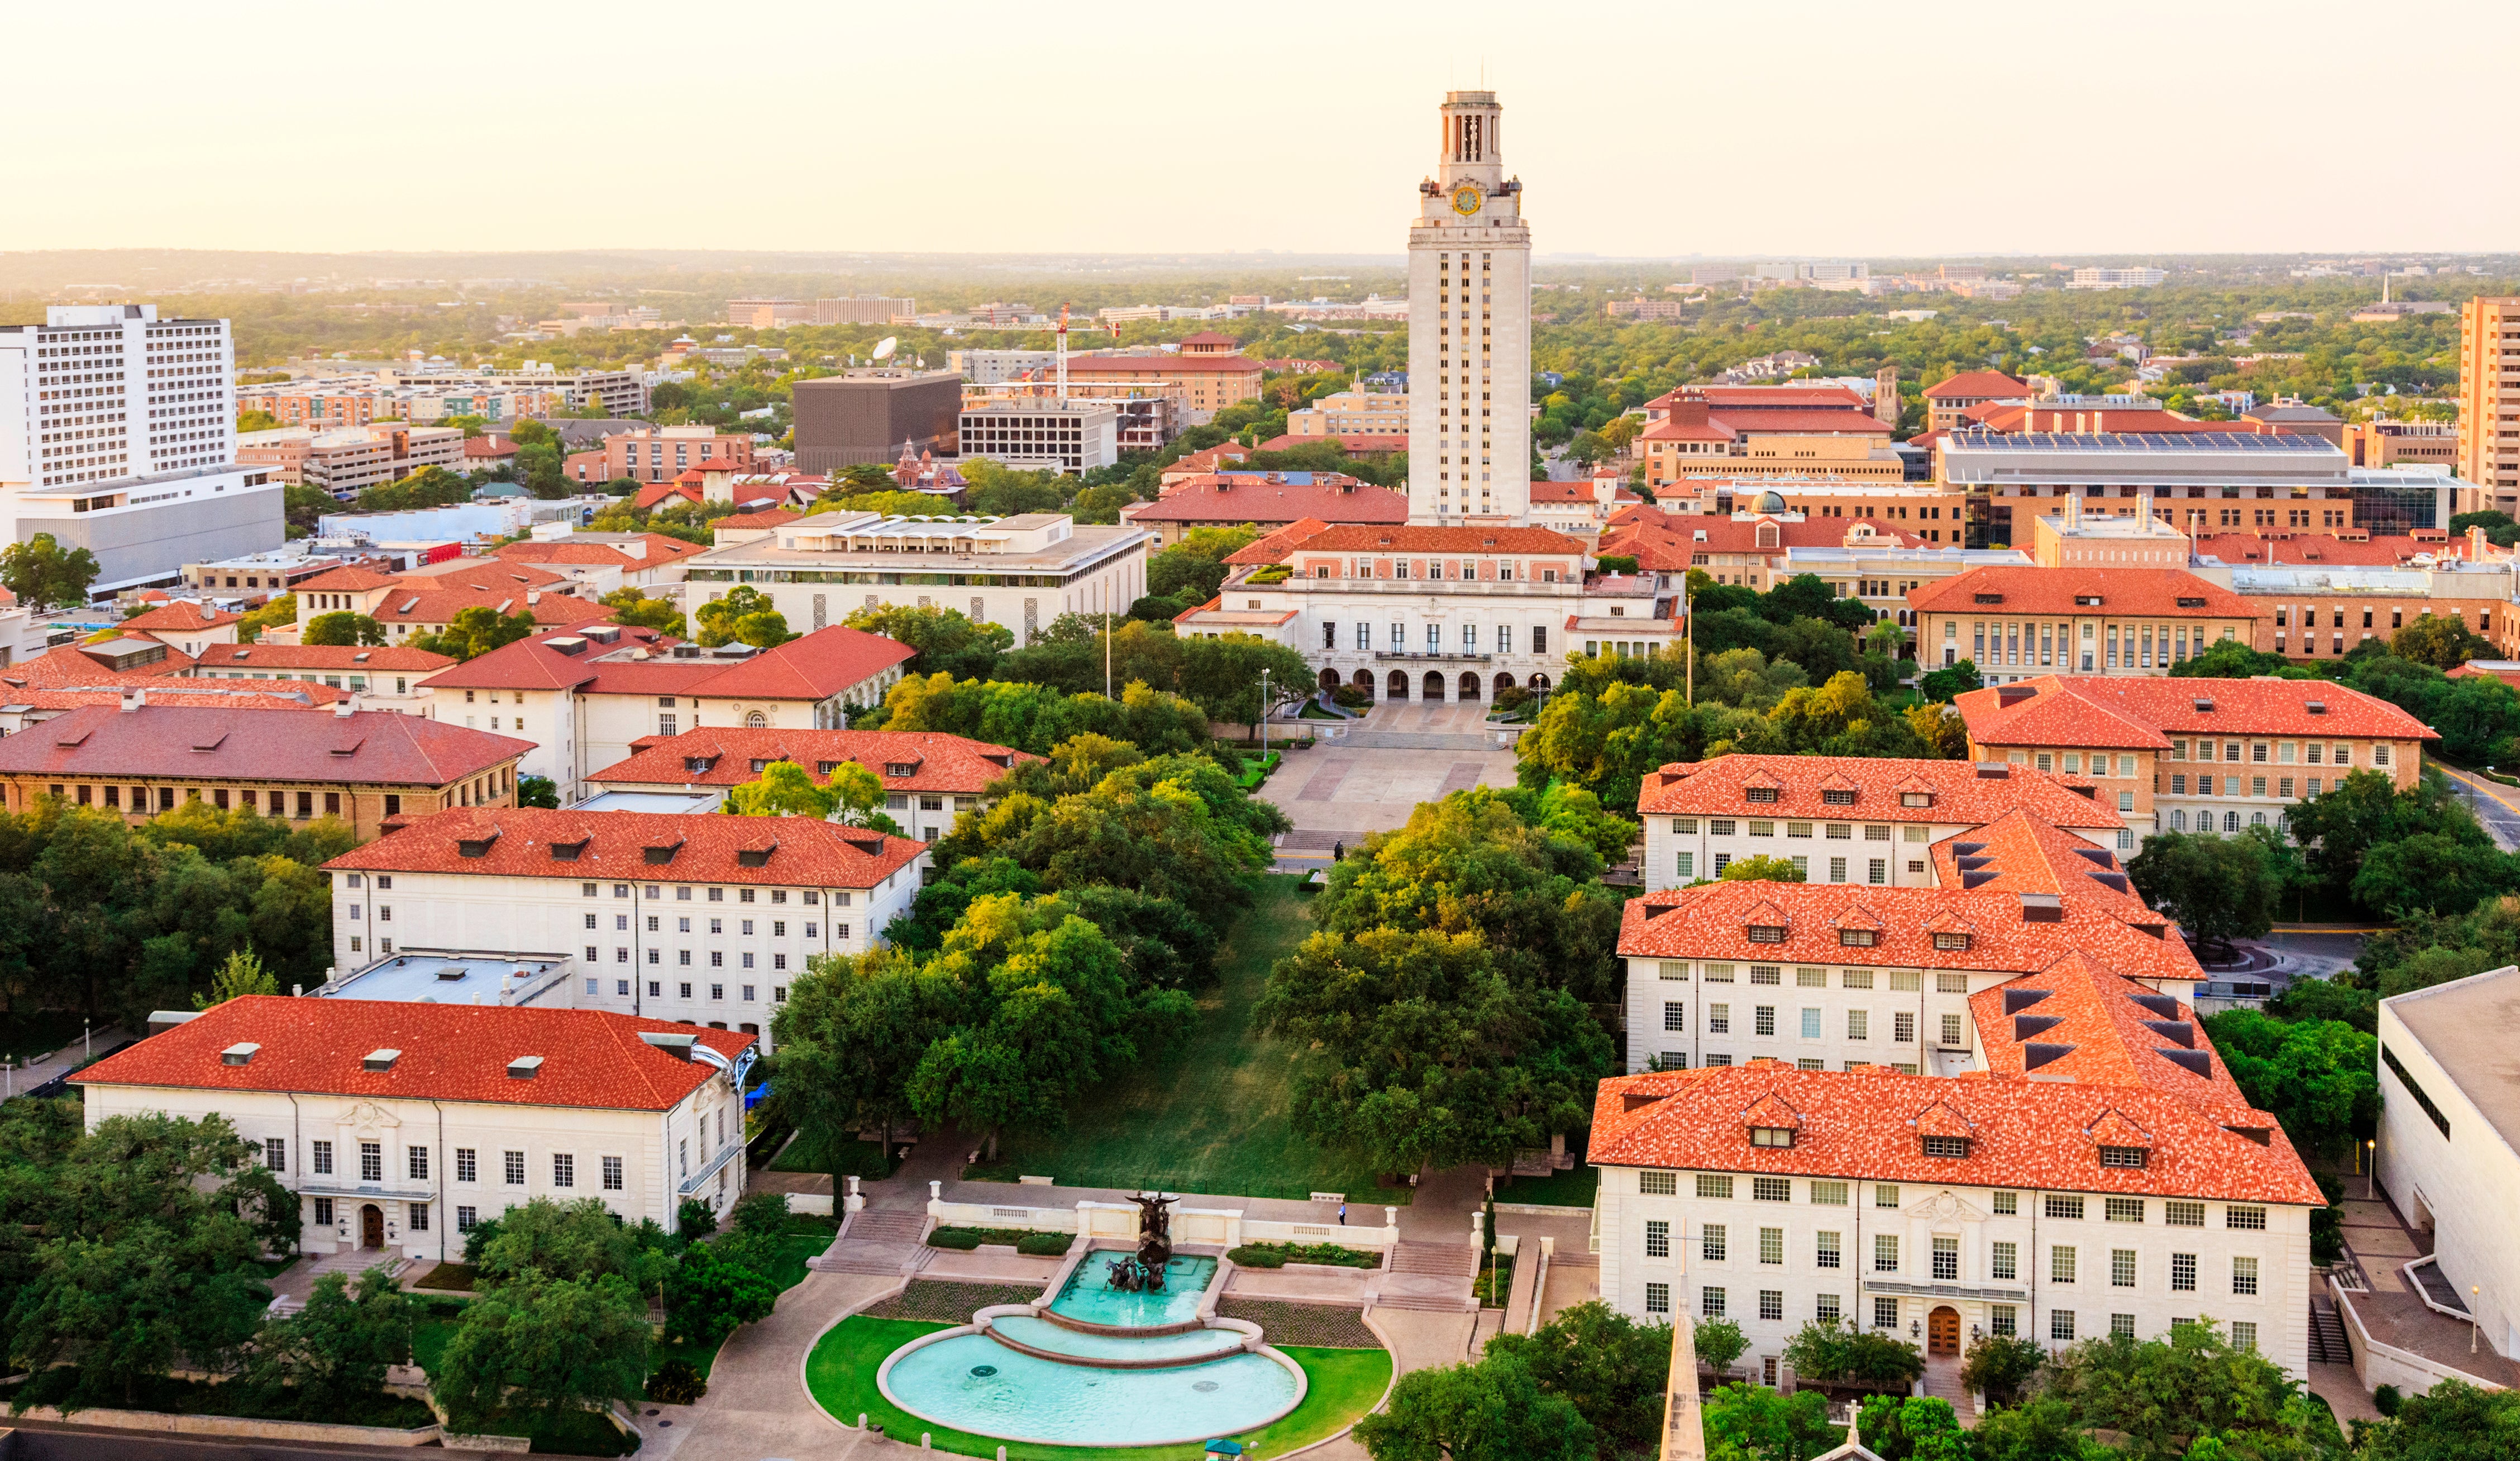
2022	1135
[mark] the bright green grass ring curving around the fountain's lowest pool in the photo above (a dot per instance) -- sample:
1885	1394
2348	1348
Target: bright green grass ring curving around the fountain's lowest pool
840	1372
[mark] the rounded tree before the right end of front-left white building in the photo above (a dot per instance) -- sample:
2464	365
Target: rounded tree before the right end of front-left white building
546	1344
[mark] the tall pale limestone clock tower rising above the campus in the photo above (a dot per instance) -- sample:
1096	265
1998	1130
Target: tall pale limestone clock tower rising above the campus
1470	331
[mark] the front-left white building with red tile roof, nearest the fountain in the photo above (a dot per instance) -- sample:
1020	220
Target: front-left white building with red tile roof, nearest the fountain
402	1125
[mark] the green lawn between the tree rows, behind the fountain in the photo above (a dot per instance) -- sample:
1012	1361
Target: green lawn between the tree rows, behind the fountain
1216	1115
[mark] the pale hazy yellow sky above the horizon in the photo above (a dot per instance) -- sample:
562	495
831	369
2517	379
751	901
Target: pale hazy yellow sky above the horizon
1803	127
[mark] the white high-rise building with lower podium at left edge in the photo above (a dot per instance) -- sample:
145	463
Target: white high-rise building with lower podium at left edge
120	437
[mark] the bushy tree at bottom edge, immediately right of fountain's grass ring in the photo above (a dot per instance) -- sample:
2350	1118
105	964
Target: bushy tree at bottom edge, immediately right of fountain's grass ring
1488	1412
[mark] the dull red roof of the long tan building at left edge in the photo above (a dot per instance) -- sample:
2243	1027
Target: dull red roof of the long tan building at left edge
226	744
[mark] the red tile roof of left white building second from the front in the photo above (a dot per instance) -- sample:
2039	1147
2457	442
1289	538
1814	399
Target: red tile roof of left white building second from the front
619	845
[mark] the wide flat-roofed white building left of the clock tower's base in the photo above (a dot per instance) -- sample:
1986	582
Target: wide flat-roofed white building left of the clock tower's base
1007	571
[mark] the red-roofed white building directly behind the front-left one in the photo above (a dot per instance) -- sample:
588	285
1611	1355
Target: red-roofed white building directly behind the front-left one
697	918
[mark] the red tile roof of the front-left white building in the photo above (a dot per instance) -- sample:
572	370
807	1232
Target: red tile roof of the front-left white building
591	1059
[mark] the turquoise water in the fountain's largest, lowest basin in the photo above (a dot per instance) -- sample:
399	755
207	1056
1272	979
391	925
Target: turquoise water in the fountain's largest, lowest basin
1085	1407
